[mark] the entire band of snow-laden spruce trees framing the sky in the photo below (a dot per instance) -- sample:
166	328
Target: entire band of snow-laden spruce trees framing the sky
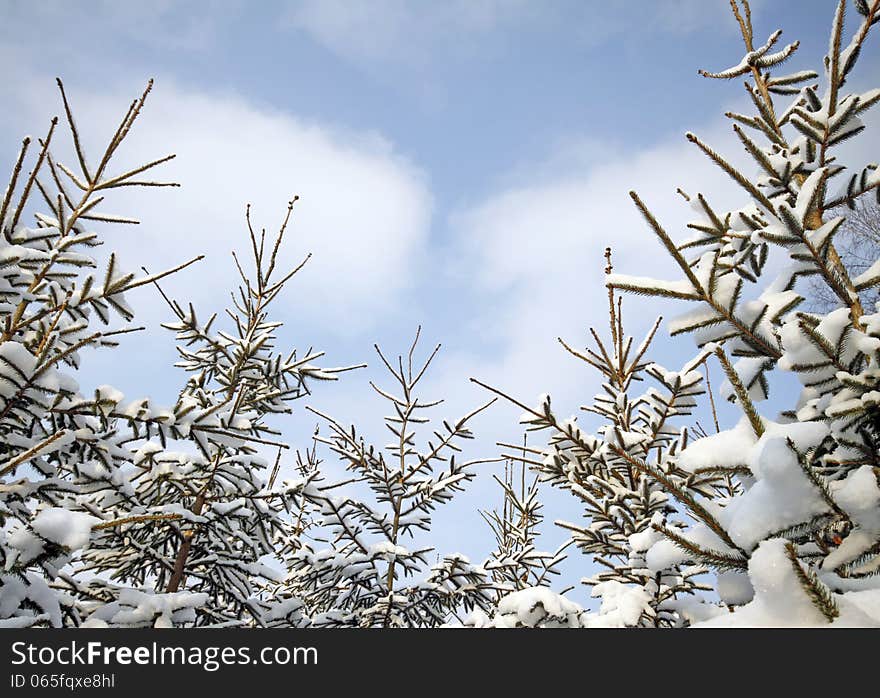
118	512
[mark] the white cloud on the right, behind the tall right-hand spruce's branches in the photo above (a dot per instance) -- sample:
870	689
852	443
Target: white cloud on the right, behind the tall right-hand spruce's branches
535	253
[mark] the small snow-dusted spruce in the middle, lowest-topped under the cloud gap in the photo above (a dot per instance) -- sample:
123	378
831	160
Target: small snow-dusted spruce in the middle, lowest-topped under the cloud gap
365	575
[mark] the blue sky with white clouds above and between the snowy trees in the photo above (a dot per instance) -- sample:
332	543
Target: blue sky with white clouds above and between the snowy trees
462	165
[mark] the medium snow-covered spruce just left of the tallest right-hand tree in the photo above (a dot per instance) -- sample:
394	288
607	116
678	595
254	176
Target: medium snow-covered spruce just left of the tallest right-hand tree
625	507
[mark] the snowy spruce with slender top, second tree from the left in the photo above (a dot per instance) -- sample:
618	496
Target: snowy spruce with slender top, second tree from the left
201	462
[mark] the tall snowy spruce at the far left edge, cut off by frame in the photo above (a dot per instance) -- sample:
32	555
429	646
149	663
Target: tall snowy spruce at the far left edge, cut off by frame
54	462
